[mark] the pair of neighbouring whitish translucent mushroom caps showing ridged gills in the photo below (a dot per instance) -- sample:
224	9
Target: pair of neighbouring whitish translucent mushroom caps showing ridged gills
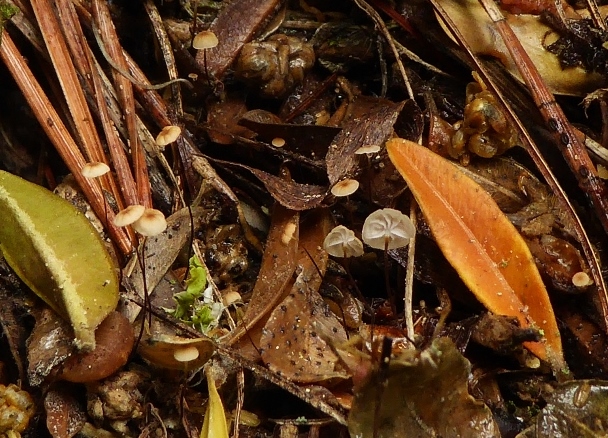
383	229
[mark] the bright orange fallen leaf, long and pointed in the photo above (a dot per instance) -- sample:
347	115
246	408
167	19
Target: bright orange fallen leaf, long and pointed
480	242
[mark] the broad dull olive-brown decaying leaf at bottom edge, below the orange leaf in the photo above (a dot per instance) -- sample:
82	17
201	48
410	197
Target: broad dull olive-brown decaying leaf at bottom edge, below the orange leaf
426	395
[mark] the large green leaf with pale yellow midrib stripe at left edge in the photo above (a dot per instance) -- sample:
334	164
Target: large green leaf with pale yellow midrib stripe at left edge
58	254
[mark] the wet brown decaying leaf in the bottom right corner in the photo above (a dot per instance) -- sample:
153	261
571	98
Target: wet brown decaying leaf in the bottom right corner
576	408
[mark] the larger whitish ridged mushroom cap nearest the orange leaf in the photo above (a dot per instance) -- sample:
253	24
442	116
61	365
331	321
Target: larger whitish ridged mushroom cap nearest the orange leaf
388	229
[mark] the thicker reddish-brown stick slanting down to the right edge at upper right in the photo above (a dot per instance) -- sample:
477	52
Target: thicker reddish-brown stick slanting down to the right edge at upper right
570	145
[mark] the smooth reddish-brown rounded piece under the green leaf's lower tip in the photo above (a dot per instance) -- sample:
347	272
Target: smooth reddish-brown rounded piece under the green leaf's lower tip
114	342
